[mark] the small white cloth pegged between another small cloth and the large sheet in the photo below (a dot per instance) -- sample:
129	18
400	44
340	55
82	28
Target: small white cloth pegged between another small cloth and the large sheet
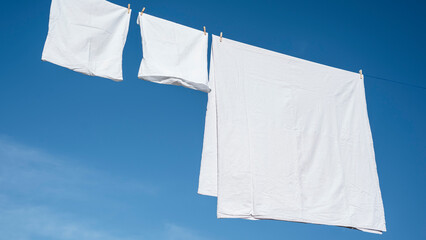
173	54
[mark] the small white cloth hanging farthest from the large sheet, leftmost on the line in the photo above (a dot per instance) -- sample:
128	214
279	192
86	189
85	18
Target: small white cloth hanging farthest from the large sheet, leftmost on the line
87	36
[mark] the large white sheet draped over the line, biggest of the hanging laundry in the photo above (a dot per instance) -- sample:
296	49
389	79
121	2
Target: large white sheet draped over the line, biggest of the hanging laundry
288	139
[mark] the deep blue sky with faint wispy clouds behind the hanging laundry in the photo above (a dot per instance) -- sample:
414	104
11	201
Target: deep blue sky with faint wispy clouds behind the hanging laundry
86	158
